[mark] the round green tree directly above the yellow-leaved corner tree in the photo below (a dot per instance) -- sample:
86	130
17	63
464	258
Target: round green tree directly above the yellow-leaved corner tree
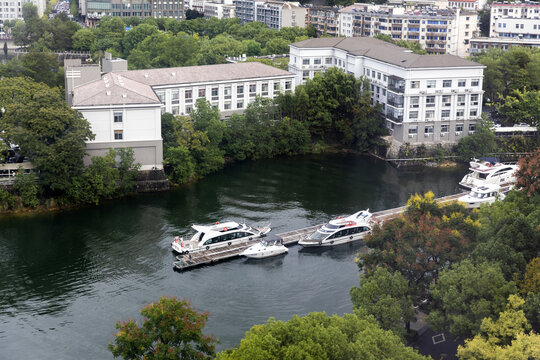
467	293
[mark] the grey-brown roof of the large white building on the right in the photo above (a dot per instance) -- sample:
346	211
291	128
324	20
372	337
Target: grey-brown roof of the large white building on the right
386	52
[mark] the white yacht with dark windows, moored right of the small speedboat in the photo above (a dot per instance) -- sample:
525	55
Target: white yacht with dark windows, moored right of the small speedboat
341	230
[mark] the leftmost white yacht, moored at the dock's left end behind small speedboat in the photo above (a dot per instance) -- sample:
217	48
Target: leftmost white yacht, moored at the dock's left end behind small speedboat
219	235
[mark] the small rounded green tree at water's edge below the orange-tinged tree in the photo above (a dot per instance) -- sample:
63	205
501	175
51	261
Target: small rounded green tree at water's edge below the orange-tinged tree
385	296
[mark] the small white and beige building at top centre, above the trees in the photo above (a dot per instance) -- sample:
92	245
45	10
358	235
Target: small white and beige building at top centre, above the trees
278	14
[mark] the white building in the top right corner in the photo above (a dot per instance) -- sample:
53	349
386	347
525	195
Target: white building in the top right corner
515	20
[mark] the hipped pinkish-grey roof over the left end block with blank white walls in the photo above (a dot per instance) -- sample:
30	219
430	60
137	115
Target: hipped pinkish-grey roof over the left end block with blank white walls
113	89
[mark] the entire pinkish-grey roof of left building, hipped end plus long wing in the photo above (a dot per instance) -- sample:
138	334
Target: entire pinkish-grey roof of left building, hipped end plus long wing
135	86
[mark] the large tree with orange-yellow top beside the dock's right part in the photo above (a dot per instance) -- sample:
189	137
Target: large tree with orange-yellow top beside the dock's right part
425	240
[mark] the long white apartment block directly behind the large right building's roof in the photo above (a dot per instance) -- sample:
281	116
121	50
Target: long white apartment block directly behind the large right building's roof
438	31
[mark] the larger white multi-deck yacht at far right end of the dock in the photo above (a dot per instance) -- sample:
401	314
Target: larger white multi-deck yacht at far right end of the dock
489	172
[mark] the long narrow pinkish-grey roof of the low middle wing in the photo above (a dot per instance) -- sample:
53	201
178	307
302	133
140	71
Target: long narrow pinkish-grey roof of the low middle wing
201	74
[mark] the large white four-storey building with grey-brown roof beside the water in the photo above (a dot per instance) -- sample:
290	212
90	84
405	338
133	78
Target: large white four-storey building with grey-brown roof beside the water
425	99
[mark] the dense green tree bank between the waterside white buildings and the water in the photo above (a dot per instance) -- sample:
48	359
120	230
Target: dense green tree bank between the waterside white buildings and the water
333	107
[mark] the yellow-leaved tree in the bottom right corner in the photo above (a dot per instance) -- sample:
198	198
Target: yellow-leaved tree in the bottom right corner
505	338
